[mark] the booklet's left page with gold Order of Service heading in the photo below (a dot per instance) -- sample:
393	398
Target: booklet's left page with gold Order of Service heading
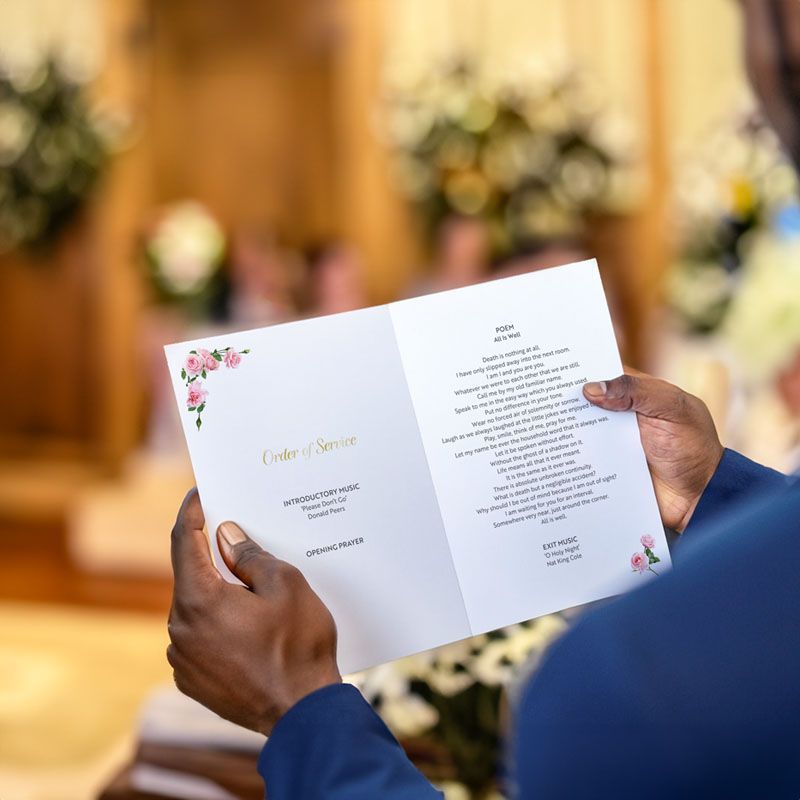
305	435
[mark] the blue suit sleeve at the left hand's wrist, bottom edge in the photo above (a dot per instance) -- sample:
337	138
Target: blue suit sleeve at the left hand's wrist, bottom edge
333	746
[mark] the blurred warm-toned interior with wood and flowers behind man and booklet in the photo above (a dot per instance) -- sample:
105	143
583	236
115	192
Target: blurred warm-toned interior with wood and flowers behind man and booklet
170	169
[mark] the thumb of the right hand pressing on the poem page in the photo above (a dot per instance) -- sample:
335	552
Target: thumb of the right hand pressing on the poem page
642	393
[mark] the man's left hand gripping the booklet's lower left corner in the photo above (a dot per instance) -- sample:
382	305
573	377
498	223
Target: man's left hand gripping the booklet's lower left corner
249	654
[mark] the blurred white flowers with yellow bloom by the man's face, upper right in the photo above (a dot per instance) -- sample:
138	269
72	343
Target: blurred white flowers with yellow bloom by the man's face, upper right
737	185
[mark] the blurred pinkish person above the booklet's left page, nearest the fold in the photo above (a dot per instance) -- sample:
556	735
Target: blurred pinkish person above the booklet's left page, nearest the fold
335	279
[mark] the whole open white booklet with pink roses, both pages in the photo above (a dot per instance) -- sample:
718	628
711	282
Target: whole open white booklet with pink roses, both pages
431	465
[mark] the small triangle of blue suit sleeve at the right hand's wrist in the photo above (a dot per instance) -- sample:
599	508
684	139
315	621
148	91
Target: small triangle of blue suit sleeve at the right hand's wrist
736	480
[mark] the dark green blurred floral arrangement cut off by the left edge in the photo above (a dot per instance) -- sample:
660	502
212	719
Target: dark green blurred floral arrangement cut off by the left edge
52	151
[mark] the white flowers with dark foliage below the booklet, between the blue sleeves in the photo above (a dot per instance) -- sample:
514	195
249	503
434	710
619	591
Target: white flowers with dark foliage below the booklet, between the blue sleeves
446	704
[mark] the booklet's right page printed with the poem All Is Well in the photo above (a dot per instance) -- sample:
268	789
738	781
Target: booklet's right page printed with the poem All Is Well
546	500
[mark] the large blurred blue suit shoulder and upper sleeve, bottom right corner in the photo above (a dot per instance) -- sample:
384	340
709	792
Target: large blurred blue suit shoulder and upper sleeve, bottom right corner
686	687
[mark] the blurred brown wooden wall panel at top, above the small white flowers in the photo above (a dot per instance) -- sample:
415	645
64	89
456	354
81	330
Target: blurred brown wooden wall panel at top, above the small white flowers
240	112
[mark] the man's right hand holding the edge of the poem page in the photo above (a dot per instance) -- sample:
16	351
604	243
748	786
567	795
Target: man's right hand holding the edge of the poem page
678	435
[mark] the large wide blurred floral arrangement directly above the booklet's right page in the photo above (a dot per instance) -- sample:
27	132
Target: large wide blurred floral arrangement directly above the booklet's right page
532	160
